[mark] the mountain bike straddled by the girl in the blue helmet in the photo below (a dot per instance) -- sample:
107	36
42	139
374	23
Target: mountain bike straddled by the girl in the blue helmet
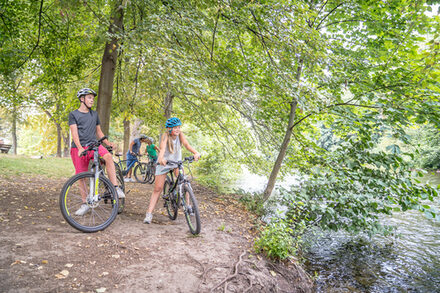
177	192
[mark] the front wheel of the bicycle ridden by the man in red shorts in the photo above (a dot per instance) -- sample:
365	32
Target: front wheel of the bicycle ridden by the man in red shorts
82	209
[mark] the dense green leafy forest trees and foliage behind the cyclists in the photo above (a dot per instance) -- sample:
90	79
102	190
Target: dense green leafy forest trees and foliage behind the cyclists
344	94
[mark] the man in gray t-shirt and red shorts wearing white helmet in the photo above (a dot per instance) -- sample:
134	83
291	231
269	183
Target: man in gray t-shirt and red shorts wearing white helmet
85	128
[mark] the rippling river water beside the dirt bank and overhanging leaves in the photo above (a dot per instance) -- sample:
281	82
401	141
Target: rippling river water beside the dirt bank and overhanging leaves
406	262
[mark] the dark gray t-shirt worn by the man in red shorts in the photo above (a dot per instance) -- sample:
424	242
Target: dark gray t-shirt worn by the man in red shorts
86	123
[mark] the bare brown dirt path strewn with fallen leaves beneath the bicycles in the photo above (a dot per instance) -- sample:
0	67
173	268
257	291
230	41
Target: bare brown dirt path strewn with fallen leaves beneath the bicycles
40	252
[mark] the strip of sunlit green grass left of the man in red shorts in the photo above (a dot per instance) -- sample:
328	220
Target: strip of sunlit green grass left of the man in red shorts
48	166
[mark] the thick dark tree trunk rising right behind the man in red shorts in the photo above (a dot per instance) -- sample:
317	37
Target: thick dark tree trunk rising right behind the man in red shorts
108	67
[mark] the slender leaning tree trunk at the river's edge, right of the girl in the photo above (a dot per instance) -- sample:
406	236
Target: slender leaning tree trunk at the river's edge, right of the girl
277	166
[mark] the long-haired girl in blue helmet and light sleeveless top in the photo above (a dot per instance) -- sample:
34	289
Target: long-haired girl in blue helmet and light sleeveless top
169	149
